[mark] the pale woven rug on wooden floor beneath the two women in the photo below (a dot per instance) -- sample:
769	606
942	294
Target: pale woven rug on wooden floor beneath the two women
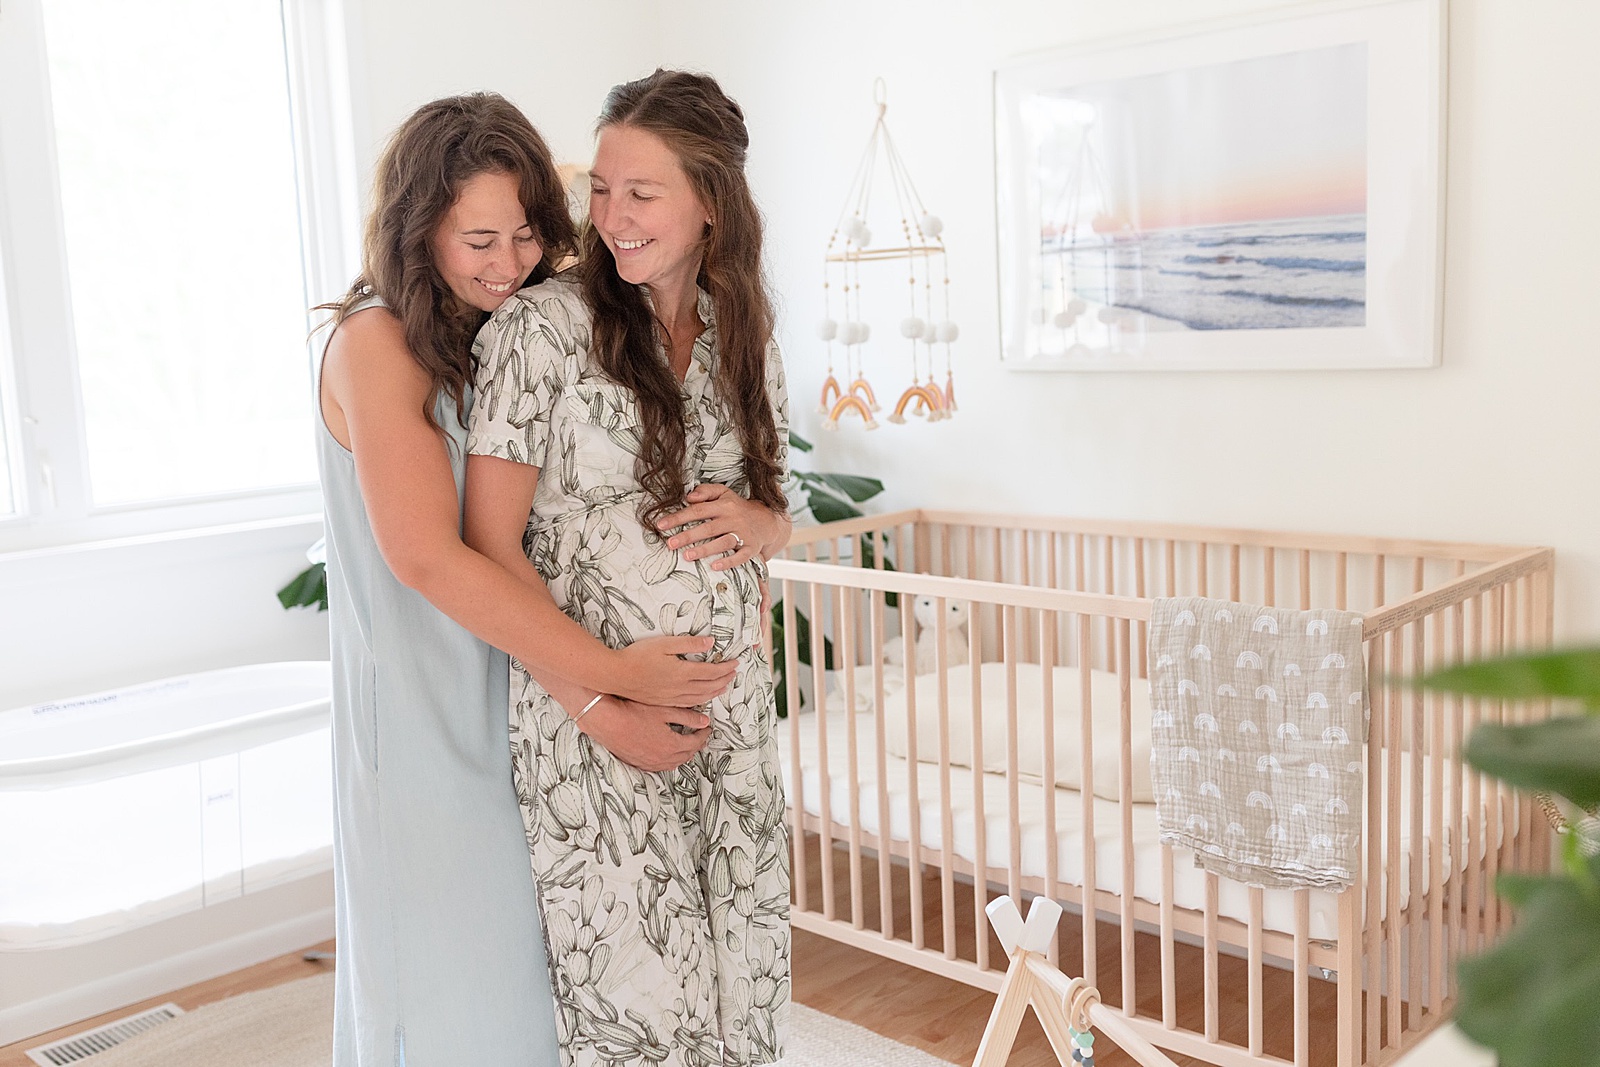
292	1026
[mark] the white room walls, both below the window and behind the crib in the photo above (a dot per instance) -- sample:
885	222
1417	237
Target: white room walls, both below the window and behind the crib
1492	446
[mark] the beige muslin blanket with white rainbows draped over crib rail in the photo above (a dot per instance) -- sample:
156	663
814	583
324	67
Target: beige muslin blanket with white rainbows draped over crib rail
1257	727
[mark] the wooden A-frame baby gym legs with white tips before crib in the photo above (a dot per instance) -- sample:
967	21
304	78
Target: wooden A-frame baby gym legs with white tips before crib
1066	1009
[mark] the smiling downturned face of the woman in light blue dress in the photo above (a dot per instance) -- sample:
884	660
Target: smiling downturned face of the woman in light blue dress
484	247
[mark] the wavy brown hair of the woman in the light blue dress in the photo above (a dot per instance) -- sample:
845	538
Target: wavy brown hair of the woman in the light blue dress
420	177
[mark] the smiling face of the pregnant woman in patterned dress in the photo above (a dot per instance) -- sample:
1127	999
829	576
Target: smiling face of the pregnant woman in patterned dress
647	212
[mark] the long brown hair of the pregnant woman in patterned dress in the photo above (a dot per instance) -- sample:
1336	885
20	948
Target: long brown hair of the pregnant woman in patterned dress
706	132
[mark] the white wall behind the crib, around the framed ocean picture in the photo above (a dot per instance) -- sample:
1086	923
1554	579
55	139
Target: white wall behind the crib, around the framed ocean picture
1494	446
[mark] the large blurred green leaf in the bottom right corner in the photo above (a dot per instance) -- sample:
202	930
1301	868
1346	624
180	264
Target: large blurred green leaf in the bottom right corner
1532	999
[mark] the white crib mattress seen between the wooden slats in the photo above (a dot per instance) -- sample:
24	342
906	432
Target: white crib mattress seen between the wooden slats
1028	823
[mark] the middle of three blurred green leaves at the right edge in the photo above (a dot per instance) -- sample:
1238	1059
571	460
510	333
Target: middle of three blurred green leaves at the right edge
1559	756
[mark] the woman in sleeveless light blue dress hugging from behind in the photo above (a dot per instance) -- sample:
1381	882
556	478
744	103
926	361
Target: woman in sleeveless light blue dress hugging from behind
441	959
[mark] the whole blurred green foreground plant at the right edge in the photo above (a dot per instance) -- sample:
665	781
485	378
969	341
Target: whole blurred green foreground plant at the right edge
1535	997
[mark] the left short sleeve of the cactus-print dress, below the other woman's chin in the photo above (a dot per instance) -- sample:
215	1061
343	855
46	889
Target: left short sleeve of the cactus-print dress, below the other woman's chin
522	370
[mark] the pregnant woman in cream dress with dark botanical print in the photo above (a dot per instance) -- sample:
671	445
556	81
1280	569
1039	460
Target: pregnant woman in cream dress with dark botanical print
628	452
